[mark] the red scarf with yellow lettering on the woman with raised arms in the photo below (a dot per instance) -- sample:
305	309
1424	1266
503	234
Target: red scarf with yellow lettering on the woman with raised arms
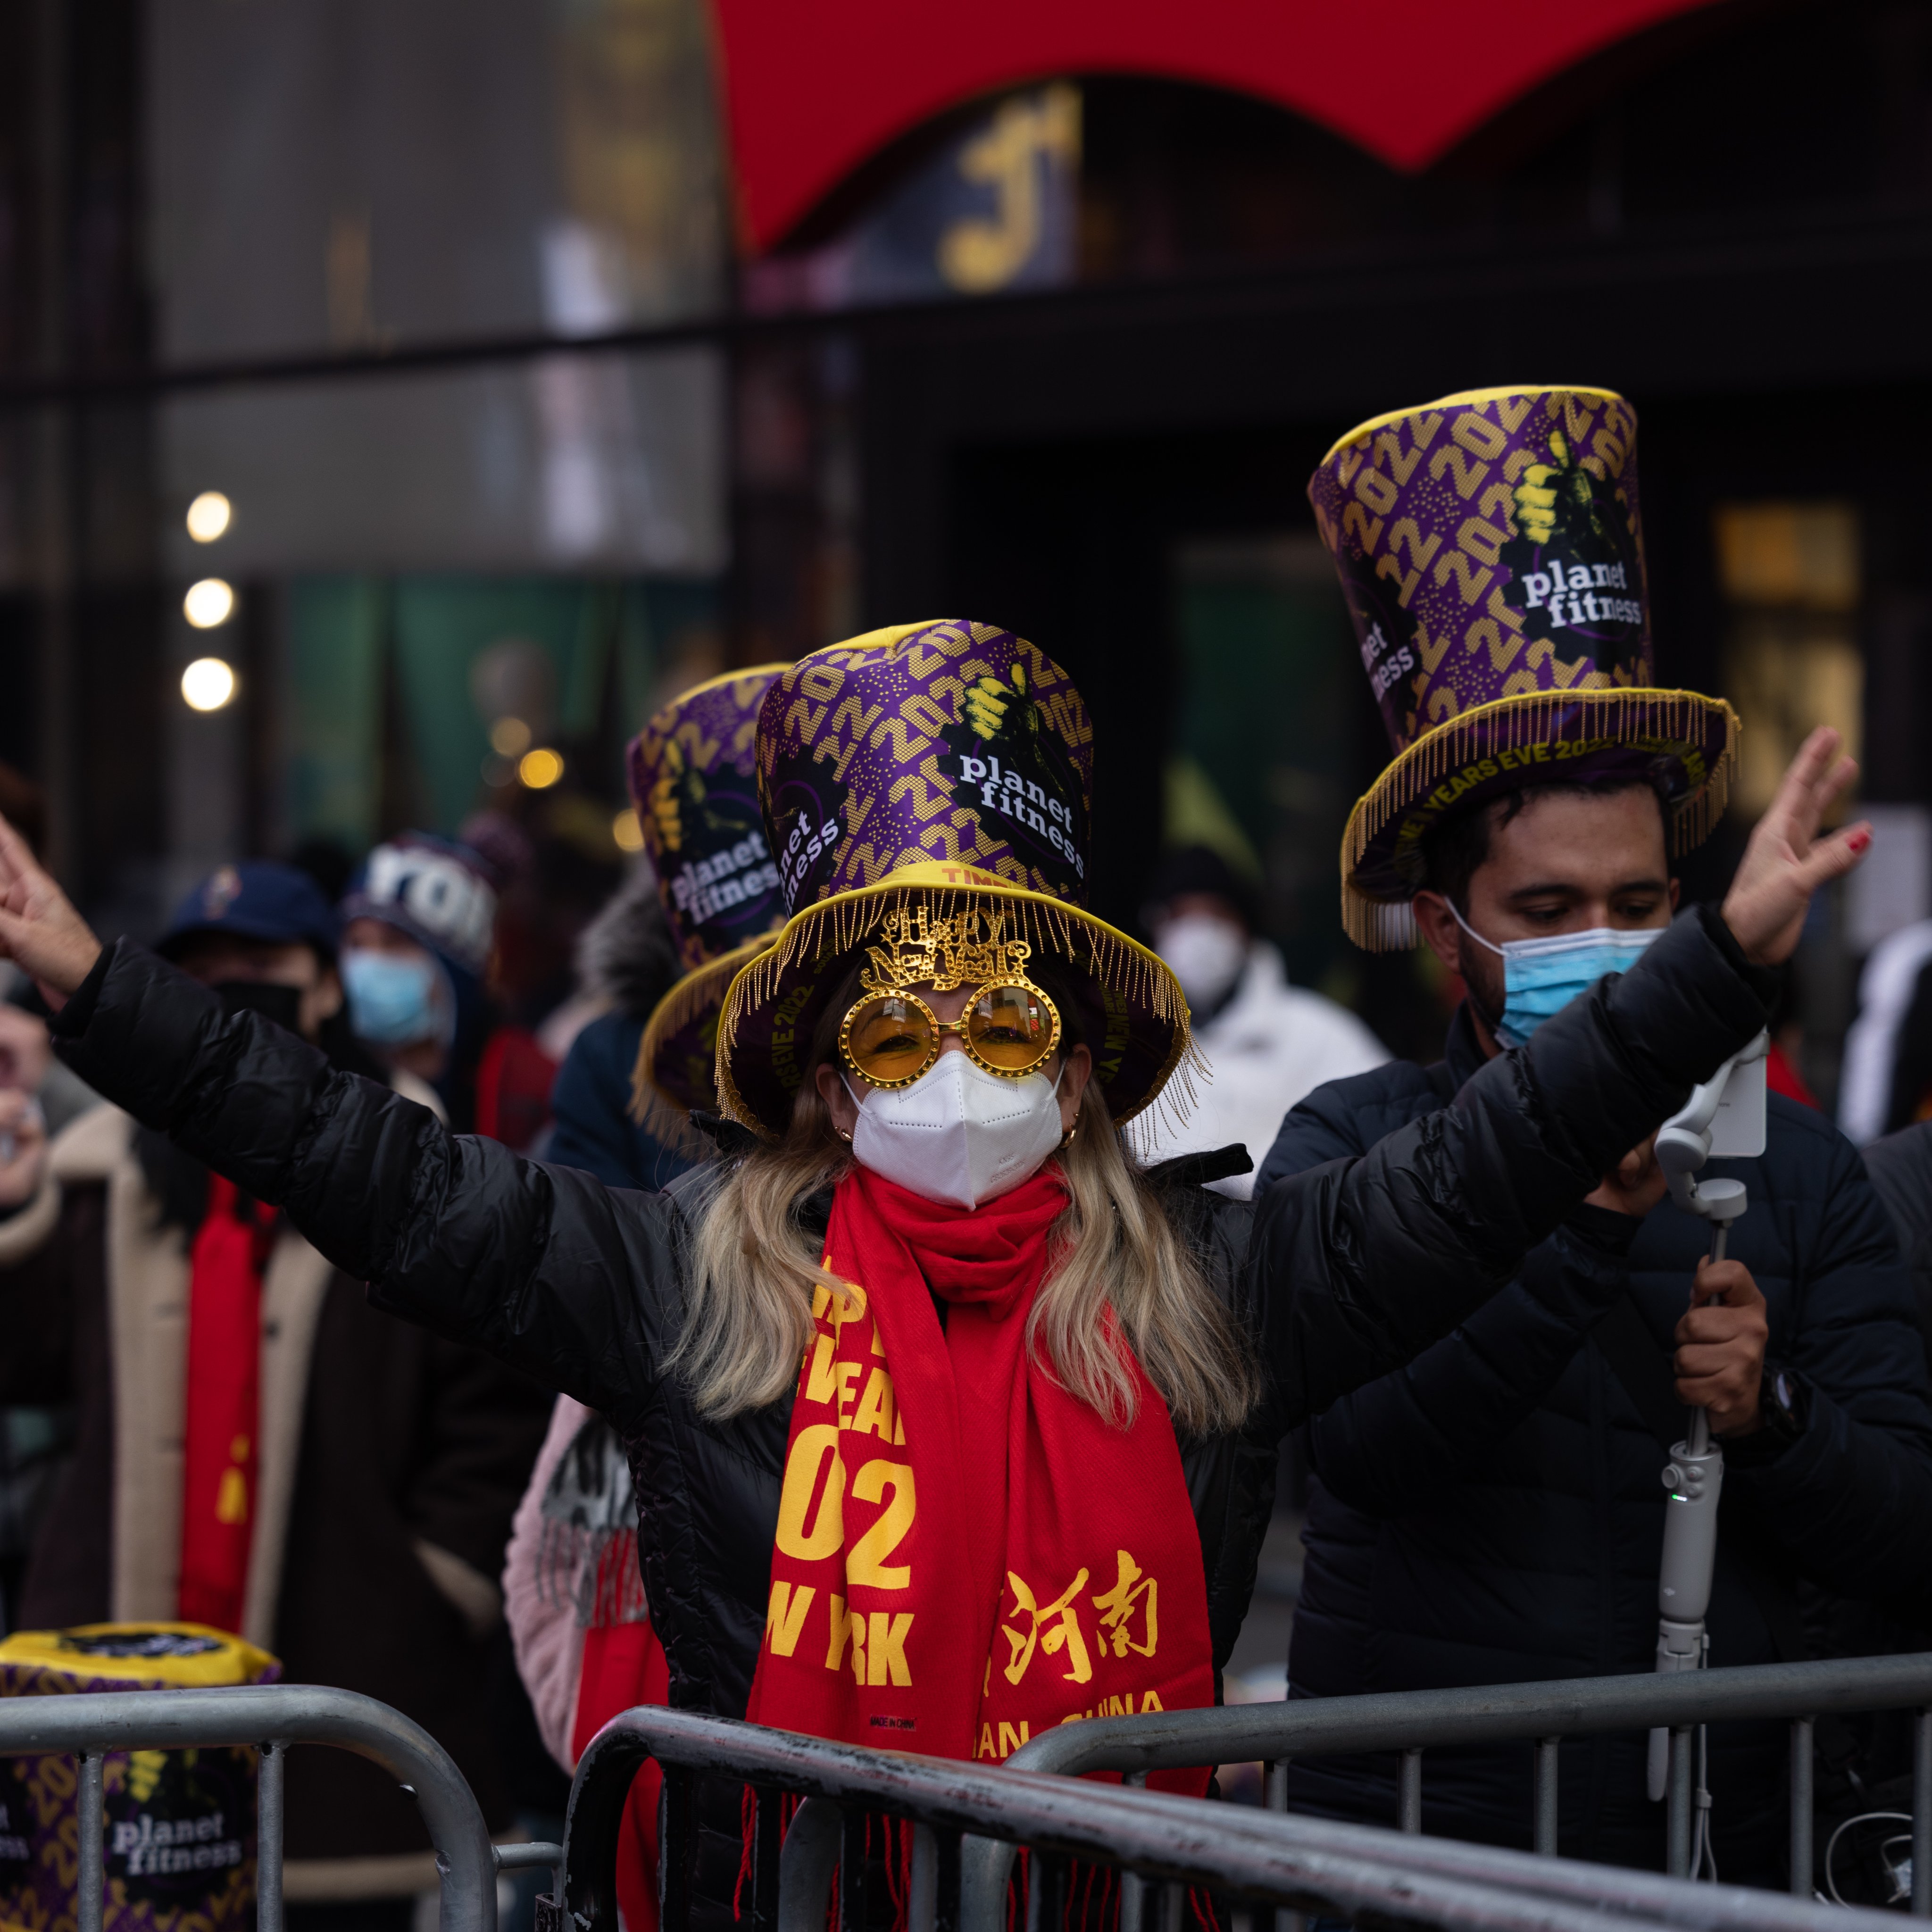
969	1554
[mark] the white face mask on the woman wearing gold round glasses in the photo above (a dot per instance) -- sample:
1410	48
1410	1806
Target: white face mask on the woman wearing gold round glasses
957	1135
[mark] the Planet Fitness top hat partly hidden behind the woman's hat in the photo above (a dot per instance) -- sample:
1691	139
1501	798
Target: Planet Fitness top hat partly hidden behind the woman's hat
695	783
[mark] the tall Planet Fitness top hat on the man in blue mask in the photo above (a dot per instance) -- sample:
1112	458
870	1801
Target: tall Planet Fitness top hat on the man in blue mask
1492	554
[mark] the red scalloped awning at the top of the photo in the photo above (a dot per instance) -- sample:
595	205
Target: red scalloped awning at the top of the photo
818	86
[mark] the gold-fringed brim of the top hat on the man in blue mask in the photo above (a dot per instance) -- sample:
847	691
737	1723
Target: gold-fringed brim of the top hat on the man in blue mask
1510	725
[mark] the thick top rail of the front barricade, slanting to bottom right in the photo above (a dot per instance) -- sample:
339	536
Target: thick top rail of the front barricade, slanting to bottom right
1241	1852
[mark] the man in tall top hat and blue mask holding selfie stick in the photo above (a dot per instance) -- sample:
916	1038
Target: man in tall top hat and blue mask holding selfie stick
1492	1512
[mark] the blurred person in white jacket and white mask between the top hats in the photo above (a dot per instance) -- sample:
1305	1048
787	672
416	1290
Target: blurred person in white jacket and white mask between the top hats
1266	1042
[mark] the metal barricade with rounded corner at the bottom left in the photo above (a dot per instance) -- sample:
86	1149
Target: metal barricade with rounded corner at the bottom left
271	1719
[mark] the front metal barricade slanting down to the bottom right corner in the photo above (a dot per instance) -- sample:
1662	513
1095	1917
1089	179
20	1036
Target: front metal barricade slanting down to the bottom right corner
1255	1858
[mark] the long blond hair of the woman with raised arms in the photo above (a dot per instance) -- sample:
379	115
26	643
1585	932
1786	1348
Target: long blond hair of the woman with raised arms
1118	1276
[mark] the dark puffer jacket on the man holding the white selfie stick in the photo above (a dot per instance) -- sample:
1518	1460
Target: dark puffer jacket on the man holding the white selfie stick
1494	1512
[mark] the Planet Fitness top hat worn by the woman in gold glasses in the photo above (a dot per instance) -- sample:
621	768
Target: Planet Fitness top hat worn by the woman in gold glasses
926	793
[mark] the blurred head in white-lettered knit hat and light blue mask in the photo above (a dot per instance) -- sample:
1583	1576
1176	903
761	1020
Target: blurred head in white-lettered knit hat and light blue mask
416	946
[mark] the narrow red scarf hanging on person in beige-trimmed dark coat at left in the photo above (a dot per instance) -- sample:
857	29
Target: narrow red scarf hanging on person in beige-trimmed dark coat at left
223	1406
